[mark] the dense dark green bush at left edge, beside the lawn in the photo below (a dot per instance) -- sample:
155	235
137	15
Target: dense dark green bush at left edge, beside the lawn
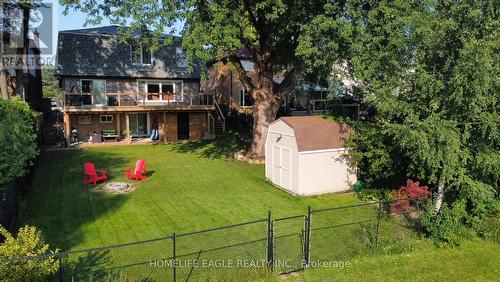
18	133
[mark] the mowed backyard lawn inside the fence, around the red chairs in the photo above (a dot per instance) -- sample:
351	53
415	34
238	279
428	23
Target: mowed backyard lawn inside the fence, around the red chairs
192	186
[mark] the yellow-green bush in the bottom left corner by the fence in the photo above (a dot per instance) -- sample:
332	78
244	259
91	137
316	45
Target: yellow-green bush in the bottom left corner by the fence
15	255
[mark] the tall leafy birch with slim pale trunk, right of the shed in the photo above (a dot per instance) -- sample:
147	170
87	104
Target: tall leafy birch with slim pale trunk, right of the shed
431	69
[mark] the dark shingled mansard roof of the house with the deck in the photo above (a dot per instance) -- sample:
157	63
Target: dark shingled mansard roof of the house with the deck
98	52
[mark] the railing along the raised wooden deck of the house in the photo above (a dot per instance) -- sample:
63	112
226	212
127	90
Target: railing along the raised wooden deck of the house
136	99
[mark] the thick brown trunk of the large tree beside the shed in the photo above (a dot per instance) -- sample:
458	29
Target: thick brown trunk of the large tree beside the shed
264	113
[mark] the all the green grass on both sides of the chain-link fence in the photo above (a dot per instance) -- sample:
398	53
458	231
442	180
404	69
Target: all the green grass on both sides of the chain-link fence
195	186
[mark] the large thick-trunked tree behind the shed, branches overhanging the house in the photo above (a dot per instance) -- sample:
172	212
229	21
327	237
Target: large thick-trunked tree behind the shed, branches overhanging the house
269	30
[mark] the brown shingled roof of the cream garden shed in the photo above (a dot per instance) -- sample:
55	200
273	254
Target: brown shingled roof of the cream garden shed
316	133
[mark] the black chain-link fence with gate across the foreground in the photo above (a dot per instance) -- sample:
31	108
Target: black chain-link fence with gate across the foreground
243	252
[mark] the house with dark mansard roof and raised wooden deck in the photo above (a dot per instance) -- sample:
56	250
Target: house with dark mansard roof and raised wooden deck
128	91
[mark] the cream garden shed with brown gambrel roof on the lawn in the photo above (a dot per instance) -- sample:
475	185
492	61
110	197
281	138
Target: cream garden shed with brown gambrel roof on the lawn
306	155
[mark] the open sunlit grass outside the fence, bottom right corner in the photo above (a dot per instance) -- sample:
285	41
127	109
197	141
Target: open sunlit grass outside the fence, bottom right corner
475	260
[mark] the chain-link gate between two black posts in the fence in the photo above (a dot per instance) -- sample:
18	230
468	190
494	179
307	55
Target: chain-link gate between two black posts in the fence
289	241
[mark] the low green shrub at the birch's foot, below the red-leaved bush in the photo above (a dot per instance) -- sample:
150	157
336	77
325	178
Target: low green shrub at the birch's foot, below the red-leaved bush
446	226
